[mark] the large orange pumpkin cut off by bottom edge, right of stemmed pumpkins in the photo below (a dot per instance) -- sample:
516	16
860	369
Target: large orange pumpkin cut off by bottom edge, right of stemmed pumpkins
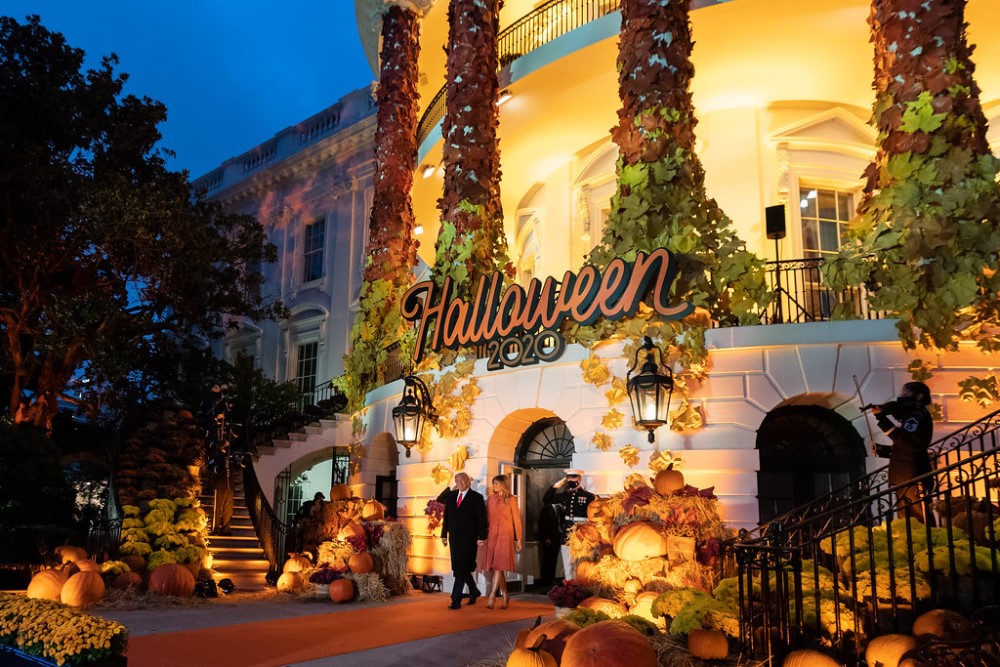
608	644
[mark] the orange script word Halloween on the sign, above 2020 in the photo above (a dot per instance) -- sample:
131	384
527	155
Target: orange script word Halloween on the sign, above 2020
495	313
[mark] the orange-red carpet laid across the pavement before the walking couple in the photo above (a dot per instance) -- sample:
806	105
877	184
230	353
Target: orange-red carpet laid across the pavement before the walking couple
280	642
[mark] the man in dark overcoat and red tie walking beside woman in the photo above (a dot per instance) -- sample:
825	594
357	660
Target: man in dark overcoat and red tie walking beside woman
465	524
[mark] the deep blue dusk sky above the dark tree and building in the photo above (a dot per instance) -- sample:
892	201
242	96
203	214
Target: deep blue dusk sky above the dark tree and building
231	73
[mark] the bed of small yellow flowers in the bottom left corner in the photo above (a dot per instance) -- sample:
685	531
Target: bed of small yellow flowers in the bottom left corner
50	630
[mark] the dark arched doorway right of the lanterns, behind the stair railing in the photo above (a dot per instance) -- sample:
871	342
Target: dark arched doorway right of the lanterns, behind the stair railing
806	451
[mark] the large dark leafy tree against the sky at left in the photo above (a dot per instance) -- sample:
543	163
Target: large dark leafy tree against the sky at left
106	256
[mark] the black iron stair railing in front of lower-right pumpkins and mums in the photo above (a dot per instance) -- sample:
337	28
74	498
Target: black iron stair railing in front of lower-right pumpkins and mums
860	563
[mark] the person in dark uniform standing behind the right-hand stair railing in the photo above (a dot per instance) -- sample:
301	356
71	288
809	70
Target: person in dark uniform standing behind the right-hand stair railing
910	427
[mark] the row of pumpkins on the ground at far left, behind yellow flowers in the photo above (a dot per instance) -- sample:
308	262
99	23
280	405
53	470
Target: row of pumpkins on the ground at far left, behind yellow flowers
78	582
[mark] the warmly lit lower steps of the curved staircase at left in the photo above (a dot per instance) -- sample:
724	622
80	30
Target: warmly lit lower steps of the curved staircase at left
238	555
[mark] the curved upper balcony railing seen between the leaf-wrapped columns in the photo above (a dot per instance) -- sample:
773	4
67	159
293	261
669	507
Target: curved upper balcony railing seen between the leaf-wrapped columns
545	23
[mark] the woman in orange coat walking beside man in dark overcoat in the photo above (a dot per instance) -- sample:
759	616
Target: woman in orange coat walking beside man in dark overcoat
503	539
